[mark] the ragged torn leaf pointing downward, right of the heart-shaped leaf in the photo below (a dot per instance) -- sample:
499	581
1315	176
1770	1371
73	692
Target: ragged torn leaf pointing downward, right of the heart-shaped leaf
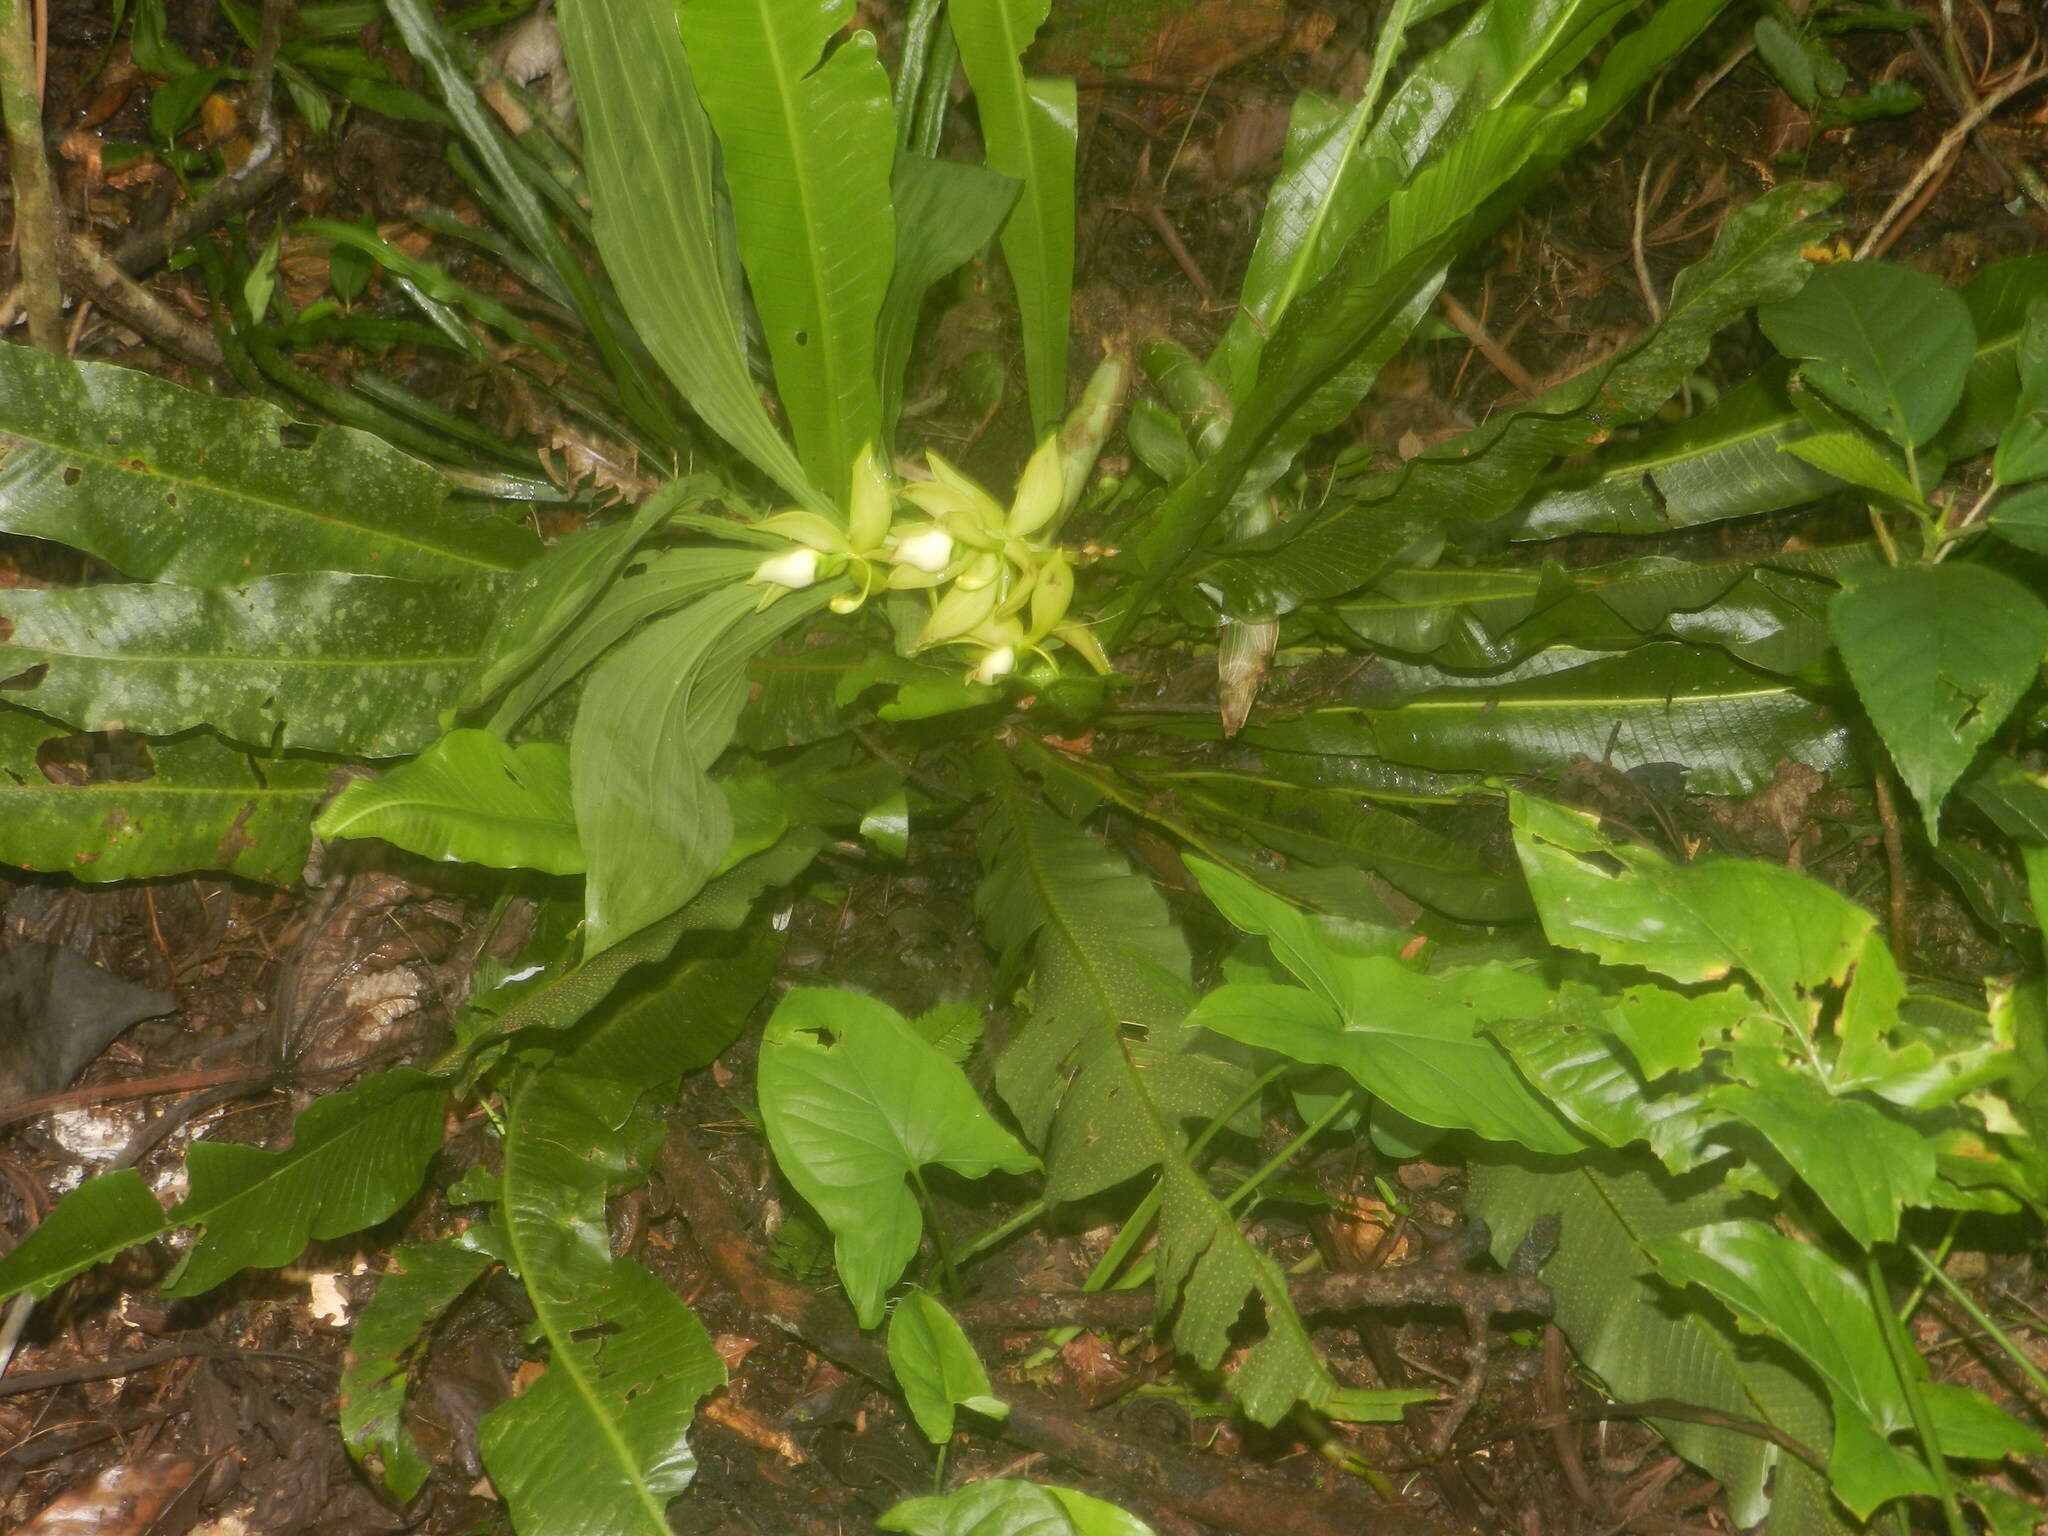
1107	1107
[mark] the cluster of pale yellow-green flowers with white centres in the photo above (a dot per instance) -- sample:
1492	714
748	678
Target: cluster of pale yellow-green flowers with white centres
996	583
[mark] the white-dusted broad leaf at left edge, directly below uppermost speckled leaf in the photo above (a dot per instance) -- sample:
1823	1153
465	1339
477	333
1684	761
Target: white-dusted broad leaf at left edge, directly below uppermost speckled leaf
316	660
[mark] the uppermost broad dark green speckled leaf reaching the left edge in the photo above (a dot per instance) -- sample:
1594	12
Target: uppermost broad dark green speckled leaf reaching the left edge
173	486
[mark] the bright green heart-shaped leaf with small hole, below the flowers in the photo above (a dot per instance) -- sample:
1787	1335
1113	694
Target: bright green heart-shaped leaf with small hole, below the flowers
857	1103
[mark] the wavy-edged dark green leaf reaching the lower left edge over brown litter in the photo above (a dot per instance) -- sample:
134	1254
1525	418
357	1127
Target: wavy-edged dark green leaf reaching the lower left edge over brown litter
355	1158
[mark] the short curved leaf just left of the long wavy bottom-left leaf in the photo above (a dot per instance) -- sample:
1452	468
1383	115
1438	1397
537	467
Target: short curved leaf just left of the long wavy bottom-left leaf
417	1289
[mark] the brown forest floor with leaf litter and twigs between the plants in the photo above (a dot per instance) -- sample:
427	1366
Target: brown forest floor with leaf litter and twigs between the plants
128	1414
